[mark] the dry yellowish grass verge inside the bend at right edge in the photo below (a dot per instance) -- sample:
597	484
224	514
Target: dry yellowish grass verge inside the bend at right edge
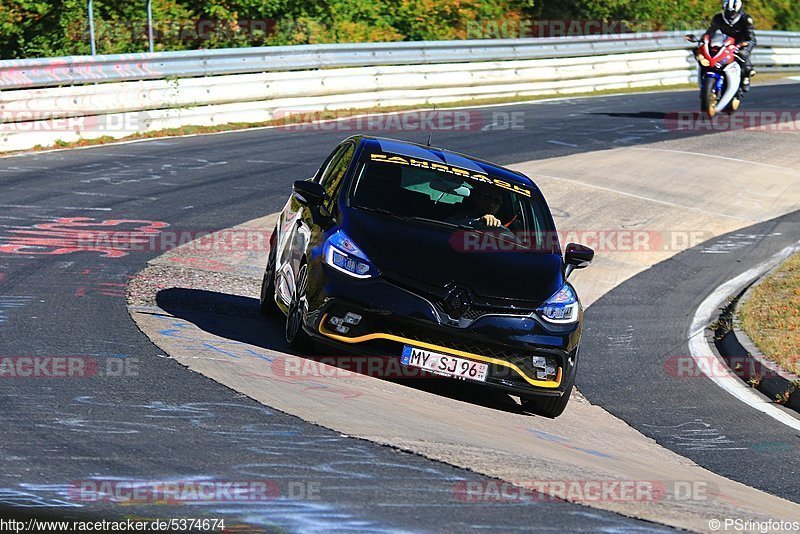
771	315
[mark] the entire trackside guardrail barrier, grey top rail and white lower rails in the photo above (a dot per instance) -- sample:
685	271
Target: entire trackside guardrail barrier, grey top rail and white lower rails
45	101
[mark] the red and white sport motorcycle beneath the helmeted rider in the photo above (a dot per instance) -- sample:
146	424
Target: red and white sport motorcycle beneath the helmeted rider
720	74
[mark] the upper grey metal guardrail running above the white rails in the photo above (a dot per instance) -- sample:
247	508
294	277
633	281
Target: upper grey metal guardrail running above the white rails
76	70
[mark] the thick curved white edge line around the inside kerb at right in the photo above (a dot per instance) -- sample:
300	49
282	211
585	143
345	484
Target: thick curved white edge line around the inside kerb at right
701	352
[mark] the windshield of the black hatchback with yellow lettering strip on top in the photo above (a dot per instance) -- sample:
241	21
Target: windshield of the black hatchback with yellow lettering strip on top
439	193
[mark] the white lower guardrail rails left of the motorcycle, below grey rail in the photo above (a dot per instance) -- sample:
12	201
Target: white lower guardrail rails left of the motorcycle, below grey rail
354	84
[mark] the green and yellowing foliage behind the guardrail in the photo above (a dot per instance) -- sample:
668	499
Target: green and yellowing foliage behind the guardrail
34	28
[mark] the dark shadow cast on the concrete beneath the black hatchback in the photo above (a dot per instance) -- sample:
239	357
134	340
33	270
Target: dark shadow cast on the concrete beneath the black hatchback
238	318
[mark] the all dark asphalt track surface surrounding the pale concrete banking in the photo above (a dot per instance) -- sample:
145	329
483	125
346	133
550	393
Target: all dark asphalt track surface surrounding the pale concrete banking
140	416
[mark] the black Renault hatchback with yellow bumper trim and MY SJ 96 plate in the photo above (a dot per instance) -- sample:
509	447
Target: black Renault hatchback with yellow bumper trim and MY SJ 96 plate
447	263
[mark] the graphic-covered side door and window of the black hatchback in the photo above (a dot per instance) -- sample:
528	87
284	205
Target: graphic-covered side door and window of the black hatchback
298	228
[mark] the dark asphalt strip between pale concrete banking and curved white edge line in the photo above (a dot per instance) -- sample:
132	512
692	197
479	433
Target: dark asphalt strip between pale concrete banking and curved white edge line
685	412
